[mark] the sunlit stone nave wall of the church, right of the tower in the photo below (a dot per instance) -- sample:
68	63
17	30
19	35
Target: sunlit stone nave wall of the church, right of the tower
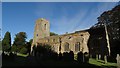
72	40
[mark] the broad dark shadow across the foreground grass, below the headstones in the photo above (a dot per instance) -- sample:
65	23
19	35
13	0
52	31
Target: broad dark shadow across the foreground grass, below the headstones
31	62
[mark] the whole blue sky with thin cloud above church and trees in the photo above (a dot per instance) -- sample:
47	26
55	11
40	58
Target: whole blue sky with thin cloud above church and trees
63	16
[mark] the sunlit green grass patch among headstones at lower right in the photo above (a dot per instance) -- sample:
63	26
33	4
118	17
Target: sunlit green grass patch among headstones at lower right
101	63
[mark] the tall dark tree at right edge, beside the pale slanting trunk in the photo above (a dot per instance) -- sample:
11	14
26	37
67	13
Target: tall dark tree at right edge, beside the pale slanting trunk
112	20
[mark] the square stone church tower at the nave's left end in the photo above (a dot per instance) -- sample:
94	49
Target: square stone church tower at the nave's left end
41	30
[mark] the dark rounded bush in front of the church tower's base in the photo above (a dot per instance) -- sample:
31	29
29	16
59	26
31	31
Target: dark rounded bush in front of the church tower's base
44	52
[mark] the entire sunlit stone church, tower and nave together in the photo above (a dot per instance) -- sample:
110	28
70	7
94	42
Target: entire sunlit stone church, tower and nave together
76	42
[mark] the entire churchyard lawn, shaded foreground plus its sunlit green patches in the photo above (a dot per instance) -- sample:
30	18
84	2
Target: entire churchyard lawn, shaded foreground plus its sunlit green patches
22	60
